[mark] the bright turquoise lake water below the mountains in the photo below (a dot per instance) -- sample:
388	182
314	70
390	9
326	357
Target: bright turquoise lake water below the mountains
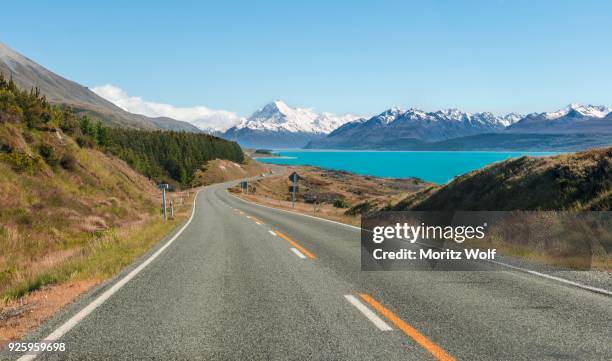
437	167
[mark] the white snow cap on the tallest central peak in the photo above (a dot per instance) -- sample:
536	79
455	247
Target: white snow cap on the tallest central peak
278	116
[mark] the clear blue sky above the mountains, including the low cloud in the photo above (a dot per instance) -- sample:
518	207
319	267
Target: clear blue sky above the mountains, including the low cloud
229	58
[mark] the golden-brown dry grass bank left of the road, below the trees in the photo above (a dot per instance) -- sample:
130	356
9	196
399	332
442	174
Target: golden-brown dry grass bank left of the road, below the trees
54	221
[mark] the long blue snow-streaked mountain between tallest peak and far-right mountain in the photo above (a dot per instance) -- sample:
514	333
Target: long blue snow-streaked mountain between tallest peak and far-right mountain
412	127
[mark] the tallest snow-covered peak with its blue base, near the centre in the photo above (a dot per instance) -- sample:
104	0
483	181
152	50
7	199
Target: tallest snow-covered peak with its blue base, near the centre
277	125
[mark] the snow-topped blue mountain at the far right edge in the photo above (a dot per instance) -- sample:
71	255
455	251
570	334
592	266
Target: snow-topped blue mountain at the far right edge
573	119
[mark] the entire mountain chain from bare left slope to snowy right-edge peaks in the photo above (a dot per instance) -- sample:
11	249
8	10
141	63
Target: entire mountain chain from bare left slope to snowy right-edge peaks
278	125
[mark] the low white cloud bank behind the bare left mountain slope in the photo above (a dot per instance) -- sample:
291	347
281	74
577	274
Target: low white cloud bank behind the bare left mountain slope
200	116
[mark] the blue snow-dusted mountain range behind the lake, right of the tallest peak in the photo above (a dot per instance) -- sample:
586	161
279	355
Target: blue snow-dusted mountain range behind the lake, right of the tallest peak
574	127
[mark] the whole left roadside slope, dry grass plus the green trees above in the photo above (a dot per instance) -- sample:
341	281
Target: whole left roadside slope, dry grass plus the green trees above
69	208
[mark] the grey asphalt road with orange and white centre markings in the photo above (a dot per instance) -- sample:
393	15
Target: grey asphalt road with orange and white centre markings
245	282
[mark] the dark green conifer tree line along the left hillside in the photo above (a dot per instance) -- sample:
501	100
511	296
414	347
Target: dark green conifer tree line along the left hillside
164	156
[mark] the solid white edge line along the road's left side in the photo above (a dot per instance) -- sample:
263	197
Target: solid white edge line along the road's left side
74	320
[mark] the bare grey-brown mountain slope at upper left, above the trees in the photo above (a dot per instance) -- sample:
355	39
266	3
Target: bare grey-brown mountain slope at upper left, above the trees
28	74
